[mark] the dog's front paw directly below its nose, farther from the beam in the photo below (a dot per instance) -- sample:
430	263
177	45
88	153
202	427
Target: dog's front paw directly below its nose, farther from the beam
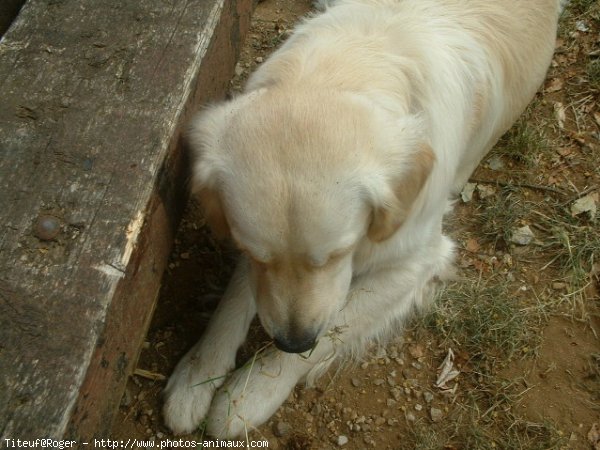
252	395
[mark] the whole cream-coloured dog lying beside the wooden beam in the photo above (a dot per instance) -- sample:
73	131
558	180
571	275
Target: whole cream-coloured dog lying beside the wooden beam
332	174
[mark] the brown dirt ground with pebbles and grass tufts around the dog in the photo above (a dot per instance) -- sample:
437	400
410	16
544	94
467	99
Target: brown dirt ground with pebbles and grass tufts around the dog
527	360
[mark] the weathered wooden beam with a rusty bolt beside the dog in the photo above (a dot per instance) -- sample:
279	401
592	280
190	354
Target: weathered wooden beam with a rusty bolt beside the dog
93	95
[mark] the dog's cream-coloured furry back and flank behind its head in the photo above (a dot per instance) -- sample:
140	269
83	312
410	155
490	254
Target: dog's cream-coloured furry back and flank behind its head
469	67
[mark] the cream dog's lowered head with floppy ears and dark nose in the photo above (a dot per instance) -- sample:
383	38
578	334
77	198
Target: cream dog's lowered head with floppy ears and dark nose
299	181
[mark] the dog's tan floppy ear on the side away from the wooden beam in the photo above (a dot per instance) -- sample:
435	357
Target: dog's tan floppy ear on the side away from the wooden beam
389	216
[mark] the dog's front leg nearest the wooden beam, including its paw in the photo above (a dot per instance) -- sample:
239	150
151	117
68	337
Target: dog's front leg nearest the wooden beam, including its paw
204	368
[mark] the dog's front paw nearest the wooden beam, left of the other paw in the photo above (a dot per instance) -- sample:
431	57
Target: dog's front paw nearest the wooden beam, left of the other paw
189	393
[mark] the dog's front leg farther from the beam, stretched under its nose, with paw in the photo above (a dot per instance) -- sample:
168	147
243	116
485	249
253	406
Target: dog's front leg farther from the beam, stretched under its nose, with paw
376	304
